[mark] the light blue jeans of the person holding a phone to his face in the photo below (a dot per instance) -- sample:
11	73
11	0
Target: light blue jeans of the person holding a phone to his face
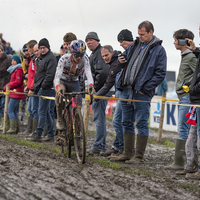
183	127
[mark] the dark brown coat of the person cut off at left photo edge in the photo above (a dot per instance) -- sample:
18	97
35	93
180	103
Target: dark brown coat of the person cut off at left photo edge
4	74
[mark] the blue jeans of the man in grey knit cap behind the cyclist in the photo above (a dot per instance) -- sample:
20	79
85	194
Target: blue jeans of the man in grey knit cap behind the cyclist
99	117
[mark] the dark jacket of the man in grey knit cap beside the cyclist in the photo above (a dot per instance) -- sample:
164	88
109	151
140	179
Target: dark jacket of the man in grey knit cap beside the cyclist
99	69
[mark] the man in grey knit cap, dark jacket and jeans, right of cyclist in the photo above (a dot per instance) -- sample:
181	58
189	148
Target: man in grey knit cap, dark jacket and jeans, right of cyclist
100	71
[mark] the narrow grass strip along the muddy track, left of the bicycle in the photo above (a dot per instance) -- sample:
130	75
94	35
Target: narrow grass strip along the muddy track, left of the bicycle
30	144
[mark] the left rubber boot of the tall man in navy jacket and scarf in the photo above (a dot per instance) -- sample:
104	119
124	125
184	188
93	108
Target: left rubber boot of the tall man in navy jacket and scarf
129	141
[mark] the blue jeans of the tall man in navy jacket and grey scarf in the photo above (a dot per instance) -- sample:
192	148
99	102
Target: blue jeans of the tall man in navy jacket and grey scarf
135	110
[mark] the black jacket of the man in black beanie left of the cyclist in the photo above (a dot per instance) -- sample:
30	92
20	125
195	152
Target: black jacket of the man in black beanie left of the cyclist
46	68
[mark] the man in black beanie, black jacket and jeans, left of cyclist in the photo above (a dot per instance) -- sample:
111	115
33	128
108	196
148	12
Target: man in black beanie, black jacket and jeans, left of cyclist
43	86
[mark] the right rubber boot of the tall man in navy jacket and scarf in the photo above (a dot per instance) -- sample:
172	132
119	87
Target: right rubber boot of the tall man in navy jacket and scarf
141	144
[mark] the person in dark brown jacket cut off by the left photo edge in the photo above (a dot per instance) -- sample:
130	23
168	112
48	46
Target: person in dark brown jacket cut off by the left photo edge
4	79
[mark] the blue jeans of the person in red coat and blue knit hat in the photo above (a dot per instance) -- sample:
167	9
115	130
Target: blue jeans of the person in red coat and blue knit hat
13	107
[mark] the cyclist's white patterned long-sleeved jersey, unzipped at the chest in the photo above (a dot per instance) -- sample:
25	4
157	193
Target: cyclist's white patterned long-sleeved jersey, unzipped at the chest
64	66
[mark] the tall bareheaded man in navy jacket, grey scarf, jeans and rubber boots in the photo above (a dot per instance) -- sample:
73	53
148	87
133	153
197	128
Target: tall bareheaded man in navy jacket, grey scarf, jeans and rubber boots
144	70
